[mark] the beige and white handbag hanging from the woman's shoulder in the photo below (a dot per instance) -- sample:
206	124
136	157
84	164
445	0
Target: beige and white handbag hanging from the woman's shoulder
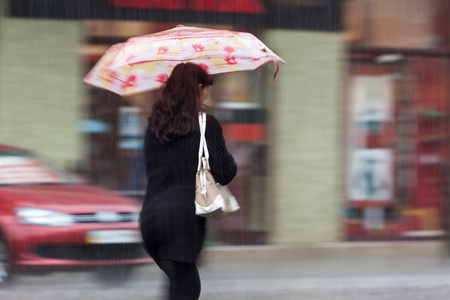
212	200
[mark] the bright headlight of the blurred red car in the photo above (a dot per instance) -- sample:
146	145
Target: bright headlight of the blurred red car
43	217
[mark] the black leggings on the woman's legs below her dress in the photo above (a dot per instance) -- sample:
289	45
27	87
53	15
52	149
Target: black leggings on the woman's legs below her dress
184	280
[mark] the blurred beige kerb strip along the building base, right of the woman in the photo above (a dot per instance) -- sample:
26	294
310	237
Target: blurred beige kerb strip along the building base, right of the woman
325	249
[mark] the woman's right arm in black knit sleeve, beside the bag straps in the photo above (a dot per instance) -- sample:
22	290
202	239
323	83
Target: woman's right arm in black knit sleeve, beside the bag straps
223	166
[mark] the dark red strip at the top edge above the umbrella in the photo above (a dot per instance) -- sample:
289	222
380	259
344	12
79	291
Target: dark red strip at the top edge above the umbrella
224	6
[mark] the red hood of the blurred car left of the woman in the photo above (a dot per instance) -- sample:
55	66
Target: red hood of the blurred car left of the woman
67	198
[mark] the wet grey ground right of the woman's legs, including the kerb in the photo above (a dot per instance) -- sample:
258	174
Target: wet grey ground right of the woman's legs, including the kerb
413	270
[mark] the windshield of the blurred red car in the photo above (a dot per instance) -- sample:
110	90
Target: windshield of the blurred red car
24	168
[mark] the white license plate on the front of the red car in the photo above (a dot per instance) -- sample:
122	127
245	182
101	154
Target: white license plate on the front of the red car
113	236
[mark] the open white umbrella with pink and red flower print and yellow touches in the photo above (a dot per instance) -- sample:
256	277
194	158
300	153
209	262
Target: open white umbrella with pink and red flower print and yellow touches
144	63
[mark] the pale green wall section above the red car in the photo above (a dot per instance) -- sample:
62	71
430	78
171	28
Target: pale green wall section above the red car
40	86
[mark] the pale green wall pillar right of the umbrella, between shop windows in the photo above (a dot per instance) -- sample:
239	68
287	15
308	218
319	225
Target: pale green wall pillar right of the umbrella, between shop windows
306	129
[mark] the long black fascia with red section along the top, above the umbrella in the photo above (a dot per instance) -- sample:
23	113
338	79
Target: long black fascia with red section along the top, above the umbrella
322	15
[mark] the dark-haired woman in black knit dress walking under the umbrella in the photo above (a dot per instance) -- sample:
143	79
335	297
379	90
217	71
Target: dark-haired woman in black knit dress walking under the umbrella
172	234
